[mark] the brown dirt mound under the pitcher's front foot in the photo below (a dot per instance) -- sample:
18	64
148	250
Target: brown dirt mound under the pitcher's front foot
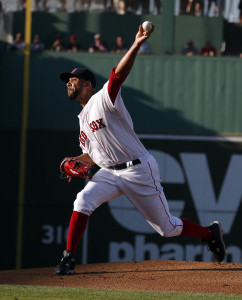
141	275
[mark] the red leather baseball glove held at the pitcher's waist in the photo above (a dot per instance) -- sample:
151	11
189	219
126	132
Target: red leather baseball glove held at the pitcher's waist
71	167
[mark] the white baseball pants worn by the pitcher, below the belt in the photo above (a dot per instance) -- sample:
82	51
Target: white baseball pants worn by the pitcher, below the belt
141	185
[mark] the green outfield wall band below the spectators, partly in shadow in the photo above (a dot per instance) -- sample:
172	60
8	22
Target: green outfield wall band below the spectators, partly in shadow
172	94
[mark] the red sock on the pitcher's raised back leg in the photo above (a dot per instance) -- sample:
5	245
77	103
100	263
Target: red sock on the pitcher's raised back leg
192	229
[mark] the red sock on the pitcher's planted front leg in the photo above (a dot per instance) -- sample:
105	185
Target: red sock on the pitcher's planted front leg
78	224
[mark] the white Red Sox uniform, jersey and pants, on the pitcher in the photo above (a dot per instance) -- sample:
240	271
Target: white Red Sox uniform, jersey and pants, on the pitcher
107	135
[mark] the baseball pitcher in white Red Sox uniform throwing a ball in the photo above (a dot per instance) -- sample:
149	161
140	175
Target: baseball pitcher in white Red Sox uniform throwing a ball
125	166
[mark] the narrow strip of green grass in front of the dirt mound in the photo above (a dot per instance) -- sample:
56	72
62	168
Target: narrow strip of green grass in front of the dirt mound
22	292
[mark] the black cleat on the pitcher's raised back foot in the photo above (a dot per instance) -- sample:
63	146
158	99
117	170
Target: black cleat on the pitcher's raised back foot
216	243
